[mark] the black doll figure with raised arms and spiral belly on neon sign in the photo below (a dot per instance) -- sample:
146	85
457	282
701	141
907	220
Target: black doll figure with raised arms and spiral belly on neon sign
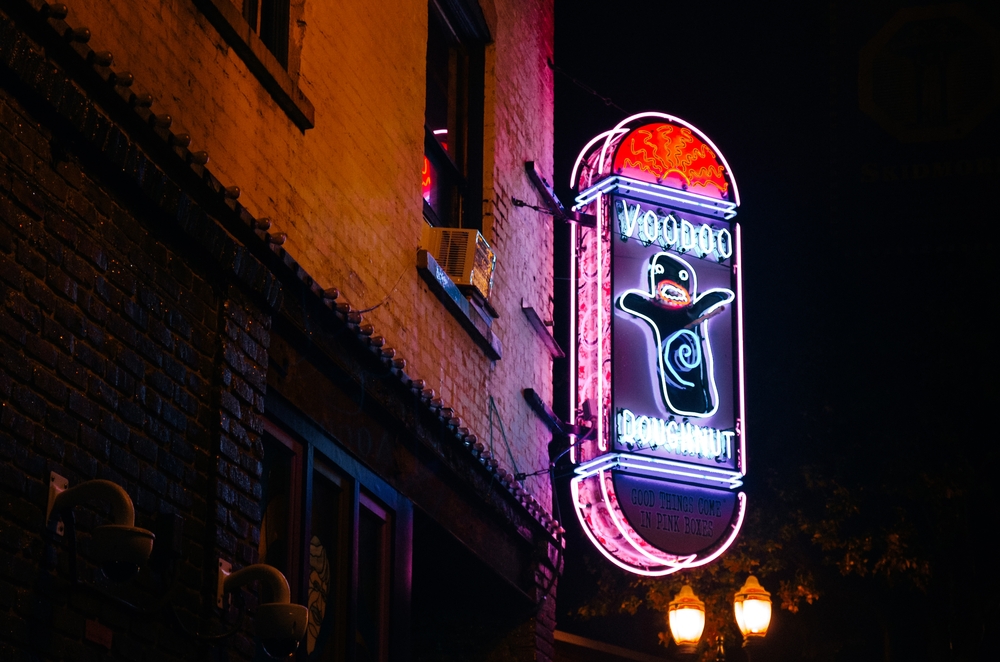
678	317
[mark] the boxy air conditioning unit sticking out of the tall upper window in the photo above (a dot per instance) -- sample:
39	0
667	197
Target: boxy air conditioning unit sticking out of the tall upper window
465	257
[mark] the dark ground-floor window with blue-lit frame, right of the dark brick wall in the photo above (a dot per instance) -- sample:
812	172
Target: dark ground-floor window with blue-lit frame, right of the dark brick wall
336	541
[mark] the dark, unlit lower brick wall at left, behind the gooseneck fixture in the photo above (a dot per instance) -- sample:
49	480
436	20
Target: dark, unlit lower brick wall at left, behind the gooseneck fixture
117	361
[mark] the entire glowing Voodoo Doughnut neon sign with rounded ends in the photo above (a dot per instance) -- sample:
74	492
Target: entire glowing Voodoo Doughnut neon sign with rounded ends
658	347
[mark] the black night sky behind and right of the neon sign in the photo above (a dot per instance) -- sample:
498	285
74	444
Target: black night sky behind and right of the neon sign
869	237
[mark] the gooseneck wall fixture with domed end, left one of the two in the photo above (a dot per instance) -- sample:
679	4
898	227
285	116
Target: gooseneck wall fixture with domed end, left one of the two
119	548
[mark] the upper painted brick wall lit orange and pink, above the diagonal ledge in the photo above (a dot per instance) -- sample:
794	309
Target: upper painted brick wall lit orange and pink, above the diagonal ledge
347	192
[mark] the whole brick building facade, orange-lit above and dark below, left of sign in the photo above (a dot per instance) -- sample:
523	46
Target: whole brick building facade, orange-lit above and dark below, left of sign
213	296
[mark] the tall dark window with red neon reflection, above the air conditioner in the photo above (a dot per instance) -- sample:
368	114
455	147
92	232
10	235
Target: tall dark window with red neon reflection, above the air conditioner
453	122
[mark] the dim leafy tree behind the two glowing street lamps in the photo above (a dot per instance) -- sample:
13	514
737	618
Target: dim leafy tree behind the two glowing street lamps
874	550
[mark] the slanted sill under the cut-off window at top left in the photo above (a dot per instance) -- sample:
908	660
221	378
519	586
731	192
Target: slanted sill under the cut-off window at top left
228	20
